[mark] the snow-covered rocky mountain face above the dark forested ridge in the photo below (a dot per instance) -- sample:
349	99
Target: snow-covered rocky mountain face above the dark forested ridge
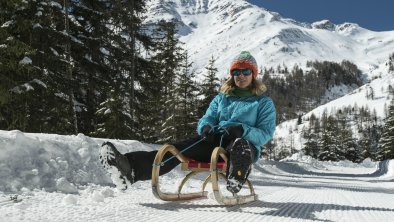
223	28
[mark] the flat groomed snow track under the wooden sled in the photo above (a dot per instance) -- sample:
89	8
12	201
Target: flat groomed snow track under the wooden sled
283	196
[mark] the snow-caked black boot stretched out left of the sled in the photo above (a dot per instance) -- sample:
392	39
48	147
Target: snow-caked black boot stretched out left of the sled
117	165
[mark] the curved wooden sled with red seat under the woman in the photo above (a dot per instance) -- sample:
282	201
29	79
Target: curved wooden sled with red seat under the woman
214	168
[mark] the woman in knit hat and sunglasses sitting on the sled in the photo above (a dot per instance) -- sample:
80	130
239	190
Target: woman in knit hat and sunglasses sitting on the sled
240	119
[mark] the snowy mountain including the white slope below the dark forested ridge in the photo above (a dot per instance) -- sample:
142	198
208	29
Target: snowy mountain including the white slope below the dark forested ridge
223	28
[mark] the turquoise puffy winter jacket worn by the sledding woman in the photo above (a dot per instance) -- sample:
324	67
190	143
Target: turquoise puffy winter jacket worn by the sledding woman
256	114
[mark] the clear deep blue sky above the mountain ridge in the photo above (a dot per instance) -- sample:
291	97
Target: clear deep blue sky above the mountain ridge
376	15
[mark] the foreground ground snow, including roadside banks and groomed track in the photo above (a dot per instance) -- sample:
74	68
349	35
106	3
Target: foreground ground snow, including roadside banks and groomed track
59	178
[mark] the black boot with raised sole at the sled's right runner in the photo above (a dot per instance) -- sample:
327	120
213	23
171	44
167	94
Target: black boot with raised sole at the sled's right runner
241	158
